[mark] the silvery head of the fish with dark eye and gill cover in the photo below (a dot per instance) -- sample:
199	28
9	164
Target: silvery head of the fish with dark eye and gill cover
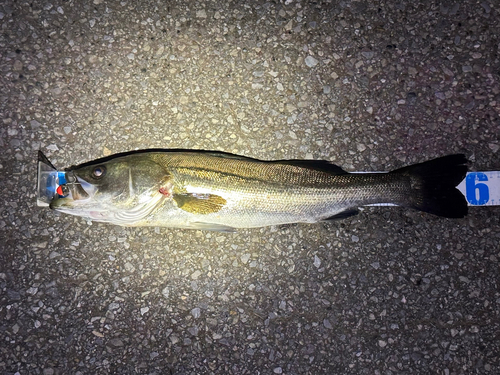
122	190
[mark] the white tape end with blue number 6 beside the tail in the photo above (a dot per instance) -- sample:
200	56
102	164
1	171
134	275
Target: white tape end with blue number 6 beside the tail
481	188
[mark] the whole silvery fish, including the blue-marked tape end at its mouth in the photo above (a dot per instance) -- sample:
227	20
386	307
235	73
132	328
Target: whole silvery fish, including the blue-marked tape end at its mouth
211	190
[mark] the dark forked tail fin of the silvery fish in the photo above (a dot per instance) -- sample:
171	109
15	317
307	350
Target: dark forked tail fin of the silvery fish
434	185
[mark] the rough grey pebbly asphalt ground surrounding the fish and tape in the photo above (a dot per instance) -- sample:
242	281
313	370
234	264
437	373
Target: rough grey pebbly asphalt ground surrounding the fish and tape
368	85
